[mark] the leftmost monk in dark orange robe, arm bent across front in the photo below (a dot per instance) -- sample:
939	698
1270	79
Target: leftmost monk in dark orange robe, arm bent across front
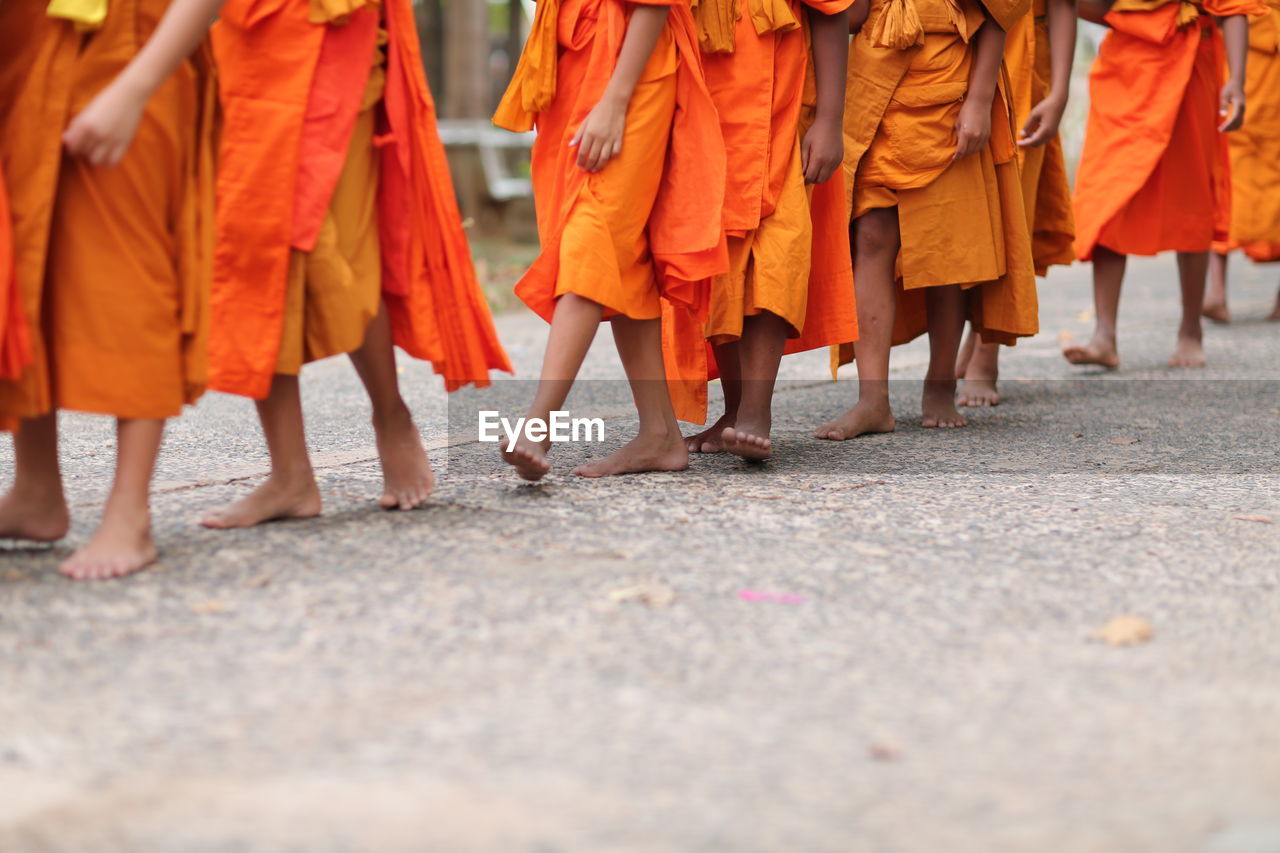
106	143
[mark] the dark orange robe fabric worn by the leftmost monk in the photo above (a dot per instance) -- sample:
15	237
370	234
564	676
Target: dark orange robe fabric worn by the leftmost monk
112	264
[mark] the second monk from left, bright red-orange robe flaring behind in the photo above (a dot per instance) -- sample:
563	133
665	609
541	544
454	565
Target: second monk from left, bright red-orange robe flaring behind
337	232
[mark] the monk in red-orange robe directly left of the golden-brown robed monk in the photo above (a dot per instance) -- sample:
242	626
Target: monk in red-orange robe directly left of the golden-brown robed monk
789	256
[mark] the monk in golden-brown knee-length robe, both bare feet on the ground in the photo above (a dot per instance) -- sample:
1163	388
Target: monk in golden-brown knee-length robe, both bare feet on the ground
939	222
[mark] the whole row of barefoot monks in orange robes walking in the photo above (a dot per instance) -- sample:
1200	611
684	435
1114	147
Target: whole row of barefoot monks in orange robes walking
189	206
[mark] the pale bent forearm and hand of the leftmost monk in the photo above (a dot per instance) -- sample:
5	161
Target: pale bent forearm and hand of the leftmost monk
103	133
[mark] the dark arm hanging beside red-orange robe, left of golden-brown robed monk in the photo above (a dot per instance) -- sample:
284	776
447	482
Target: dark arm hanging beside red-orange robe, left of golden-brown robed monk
824	148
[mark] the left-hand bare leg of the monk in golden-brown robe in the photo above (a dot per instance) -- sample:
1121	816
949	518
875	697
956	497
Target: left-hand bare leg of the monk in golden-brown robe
876	244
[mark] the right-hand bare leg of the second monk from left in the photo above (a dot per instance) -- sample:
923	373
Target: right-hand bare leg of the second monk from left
408	480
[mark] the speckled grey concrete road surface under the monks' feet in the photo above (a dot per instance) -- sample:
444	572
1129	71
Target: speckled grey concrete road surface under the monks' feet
461	679
